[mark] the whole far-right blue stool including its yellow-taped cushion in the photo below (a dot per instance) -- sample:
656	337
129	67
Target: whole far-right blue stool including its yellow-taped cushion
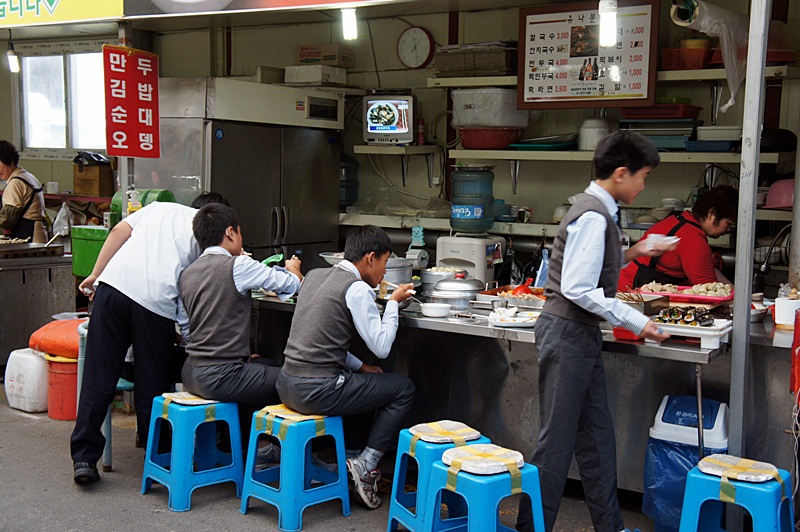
759	487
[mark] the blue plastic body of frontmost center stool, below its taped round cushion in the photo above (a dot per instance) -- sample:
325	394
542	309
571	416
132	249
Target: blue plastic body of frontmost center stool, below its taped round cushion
483	494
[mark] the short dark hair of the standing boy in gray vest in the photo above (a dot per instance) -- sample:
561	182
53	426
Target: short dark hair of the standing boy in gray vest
624	149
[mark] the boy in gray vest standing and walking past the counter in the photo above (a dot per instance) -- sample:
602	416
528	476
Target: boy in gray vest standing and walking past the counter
580	290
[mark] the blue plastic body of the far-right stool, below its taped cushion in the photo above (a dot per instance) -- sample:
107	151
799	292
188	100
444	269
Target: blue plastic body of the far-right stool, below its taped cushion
769	503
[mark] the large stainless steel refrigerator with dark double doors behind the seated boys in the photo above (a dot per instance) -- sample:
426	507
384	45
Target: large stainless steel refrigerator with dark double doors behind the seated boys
272	151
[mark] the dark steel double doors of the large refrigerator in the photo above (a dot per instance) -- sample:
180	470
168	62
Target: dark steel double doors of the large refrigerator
283	183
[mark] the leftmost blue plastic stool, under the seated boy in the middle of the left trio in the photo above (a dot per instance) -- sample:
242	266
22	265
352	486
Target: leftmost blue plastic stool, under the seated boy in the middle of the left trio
194	443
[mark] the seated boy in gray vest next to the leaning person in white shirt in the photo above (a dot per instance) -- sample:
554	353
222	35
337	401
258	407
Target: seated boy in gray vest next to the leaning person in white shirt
215	290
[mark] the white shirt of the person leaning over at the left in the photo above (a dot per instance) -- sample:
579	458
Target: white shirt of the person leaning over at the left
147	266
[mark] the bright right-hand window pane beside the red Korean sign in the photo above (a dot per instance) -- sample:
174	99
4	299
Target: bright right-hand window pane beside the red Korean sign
87	122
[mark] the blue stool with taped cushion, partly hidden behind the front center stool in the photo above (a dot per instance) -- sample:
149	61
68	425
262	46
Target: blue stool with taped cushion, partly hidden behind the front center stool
425	443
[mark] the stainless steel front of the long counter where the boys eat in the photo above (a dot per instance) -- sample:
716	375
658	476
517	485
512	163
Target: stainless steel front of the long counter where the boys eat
487	377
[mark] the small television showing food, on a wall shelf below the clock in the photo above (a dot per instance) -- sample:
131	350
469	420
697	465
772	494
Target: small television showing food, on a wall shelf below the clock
388	119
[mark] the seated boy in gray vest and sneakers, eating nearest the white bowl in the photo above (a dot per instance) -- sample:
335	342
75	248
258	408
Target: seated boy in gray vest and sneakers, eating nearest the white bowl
321	376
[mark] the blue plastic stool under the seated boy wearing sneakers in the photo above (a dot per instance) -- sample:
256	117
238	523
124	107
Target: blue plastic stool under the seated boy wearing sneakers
296	470
